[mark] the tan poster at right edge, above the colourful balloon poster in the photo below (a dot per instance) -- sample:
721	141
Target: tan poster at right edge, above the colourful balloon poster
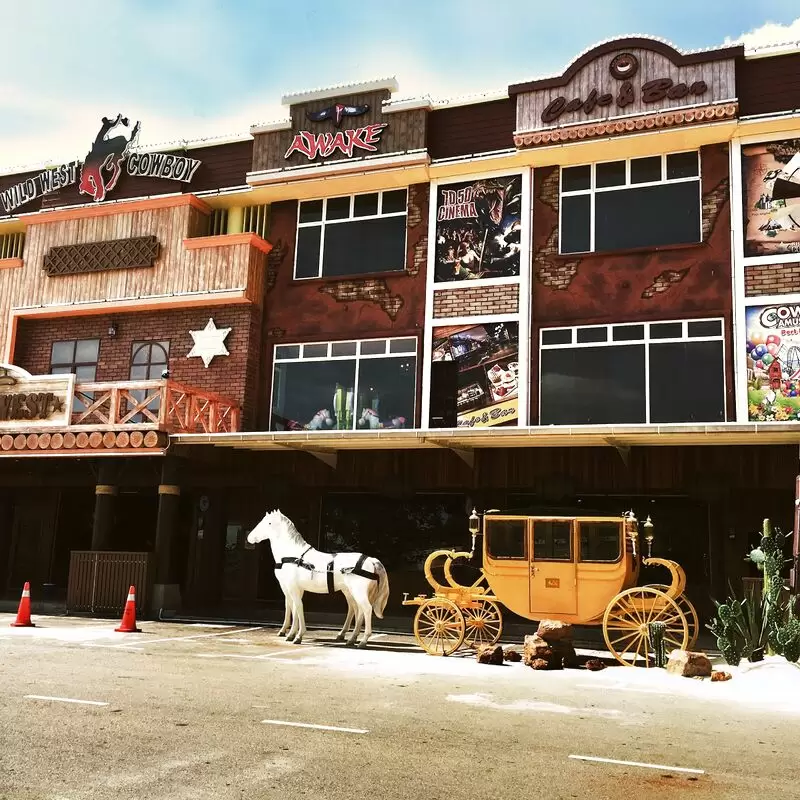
771	179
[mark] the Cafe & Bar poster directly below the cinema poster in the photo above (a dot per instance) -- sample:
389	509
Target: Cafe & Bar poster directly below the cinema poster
488	371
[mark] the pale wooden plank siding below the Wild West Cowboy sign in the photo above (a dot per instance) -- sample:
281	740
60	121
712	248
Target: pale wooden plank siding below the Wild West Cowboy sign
176	271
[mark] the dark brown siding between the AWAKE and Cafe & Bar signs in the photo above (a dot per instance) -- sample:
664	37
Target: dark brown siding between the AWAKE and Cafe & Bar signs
471	129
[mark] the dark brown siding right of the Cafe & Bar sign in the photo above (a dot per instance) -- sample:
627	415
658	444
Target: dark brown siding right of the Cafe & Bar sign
768	85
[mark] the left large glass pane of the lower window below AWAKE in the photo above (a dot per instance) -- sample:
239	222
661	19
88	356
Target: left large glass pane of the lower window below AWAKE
313	395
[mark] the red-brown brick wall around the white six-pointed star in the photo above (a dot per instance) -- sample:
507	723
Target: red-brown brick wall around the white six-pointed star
234	376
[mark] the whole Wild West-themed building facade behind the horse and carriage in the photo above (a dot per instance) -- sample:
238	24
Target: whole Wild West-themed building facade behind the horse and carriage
580	294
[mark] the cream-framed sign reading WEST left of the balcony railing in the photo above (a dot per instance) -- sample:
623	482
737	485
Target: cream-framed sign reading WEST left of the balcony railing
34	400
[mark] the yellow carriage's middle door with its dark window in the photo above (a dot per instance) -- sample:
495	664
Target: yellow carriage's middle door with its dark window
553	587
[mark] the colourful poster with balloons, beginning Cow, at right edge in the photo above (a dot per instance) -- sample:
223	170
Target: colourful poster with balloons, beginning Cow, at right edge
773	363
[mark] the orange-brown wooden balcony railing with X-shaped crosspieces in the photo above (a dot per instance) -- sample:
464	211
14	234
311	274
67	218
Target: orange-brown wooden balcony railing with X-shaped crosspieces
159	404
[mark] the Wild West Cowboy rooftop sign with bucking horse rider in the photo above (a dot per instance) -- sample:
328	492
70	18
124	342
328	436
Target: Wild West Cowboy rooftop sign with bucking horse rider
99	172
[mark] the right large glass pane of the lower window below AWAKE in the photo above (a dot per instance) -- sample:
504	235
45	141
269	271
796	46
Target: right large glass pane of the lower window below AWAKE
386	390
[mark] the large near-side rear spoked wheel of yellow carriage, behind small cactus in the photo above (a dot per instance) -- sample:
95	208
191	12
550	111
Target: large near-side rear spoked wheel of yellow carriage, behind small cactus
627	620
